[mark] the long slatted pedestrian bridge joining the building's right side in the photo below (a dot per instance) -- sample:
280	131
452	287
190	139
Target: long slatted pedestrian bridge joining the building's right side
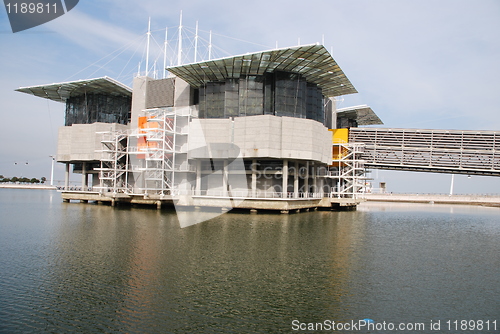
438	151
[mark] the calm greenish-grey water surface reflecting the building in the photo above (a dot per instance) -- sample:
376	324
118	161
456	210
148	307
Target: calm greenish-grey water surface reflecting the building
88	268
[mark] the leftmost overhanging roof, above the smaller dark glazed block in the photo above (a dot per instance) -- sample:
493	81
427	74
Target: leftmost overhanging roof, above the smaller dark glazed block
60	92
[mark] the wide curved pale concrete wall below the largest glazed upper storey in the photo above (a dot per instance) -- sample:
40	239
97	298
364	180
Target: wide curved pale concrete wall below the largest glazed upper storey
263	136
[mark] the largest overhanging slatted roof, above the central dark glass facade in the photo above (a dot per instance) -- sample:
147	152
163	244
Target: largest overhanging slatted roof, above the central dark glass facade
314	62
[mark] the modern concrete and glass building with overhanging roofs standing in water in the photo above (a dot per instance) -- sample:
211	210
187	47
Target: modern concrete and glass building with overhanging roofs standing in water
255	131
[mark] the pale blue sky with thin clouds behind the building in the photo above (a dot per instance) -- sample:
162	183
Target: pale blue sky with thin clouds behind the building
418	64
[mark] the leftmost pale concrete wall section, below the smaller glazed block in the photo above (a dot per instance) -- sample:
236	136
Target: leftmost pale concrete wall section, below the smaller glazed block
79	142
